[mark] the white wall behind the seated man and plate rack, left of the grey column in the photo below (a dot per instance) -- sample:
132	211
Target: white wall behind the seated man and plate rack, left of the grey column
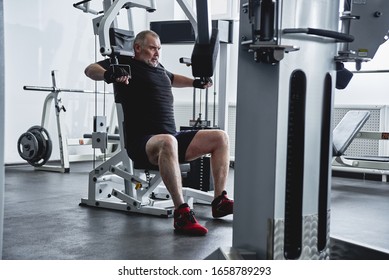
44	35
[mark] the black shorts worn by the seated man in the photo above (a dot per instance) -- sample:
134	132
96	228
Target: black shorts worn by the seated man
136	148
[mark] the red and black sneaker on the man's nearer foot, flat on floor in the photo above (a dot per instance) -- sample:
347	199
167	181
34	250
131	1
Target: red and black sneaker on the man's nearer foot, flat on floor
186	223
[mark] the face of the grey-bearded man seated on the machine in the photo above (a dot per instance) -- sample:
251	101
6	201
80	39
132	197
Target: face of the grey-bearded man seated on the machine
149	51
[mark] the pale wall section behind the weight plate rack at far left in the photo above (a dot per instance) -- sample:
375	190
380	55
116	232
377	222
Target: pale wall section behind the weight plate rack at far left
40	36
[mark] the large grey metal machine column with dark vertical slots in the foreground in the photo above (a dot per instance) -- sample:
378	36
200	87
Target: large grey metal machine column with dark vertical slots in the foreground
283	132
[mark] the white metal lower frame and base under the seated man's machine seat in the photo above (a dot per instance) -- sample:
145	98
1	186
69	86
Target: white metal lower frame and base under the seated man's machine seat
115	184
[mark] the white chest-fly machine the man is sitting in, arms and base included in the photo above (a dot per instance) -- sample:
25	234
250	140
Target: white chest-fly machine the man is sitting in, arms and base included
118	183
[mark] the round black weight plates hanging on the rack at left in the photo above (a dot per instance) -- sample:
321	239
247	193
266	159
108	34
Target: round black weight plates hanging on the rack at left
35	146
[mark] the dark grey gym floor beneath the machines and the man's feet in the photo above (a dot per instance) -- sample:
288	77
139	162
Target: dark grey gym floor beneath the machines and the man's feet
43	220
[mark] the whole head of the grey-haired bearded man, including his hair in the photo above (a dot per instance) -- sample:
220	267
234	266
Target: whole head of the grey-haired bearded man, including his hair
147	47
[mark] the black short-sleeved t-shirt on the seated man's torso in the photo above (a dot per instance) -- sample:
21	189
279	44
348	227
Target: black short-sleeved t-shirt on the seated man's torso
147	100
